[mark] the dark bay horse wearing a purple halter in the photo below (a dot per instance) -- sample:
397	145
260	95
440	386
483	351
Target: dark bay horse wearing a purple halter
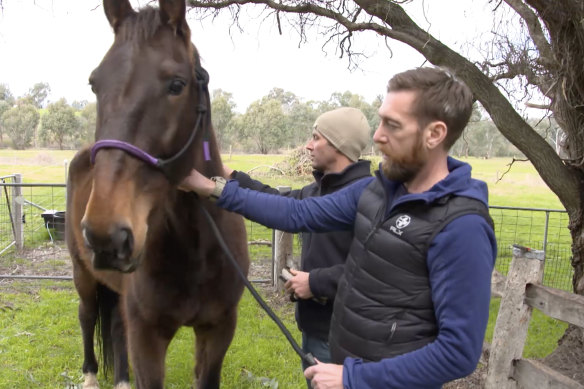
145	261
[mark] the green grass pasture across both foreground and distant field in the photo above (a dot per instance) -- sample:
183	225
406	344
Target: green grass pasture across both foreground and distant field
40	341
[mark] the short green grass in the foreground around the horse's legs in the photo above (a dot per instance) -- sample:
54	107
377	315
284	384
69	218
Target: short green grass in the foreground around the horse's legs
40	344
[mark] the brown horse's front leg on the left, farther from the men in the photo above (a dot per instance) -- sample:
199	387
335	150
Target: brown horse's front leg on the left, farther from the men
147	344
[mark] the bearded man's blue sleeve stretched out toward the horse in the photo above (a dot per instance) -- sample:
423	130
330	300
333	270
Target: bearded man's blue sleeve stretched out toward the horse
333	212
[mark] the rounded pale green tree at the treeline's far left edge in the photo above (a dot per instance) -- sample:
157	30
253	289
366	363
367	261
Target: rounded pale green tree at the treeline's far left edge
20	123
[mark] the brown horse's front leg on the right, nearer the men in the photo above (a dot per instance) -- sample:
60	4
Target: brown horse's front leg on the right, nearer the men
212	344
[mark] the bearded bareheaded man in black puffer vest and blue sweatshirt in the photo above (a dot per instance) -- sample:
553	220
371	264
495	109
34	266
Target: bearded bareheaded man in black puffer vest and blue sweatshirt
412	306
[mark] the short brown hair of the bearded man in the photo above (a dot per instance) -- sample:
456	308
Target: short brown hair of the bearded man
440	96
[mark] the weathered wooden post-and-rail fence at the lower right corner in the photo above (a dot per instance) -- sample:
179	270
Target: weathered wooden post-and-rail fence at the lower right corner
520	292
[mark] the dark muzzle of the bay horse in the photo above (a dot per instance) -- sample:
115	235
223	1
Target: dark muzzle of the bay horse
111	251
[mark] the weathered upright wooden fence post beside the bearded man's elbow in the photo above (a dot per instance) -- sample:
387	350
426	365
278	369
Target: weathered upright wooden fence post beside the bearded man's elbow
513	318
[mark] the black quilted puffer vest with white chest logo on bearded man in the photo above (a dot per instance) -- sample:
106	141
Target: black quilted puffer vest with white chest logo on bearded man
383	306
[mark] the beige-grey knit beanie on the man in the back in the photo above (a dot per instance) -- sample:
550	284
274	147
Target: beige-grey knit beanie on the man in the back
346	129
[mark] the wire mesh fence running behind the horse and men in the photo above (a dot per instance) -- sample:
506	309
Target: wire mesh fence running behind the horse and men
32	215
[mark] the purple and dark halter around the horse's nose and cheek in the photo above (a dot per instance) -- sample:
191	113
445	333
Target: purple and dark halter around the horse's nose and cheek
202	79
